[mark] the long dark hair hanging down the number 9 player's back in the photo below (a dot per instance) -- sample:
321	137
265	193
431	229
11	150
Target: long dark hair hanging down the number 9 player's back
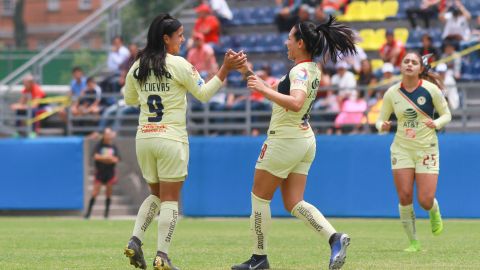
152	57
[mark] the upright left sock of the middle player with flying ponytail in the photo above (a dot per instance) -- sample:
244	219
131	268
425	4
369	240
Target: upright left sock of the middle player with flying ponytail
259	224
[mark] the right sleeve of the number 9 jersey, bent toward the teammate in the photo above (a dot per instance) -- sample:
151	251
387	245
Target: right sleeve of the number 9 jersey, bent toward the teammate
193	82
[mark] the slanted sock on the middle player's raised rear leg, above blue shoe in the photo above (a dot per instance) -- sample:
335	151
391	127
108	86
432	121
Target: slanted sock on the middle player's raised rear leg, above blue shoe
313	219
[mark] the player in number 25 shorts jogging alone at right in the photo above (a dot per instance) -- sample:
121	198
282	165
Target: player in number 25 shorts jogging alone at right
414	151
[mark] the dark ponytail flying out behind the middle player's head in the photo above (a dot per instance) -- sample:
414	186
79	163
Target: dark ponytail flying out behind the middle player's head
331	38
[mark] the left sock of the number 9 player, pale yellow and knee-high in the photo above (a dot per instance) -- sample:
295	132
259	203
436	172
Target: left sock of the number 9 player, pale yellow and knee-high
147	212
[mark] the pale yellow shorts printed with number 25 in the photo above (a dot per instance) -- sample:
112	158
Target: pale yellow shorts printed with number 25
423	161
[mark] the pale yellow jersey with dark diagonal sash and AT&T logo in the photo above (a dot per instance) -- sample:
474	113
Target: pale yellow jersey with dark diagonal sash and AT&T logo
412	110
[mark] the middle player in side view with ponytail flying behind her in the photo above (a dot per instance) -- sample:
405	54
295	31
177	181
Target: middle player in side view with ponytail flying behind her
289	150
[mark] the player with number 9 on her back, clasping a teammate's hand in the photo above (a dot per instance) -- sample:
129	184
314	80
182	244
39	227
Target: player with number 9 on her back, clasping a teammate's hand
158	81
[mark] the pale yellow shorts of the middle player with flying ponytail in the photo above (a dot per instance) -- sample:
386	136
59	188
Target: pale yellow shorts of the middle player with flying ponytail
281	157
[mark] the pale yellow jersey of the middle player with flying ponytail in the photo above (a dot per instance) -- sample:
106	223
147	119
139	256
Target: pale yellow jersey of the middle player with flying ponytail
285	123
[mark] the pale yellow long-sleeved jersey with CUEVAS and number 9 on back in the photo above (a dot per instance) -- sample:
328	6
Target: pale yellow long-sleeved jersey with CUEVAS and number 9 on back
163	103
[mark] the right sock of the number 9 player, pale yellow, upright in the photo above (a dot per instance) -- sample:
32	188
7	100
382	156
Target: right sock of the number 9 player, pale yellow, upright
166	225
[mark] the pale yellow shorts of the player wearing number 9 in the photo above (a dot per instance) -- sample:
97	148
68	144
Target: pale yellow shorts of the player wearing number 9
162	159
